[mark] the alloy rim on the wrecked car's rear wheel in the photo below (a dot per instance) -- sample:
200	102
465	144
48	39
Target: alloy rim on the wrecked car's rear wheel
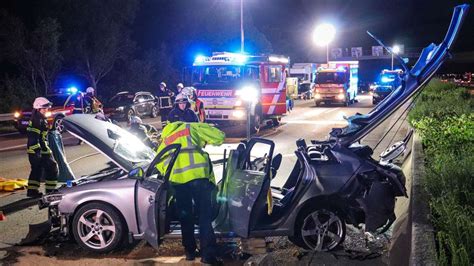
322	230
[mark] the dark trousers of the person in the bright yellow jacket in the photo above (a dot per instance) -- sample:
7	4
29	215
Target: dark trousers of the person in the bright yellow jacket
199	191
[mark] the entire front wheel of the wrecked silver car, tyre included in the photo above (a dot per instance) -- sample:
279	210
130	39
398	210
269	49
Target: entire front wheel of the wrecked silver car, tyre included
98	227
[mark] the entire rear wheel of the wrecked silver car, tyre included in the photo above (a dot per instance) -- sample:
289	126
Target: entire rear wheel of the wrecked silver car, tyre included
319	229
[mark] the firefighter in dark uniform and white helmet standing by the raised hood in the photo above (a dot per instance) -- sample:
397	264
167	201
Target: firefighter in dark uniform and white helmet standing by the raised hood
39	153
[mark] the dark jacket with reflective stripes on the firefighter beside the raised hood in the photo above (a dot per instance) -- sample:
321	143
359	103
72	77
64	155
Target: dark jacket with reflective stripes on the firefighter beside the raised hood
37	132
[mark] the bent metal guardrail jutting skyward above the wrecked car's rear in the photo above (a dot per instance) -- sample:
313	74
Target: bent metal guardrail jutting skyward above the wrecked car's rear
413	81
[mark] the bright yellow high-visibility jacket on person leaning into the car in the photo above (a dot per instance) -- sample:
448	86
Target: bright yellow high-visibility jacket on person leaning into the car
192	161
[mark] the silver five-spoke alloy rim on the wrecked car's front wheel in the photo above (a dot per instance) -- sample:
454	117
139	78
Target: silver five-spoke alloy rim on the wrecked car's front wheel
96	229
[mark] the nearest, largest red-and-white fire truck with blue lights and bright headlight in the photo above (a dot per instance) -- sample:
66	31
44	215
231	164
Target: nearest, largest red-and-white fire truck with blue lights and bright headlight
231	85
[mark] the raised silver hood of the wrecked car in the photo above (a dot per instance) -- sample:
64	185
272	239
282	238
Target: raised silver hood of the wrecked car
100	135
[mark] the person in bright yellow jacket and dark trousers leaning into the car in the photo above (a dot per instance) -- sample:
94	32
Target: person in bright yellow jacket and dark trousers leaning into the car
192	179
